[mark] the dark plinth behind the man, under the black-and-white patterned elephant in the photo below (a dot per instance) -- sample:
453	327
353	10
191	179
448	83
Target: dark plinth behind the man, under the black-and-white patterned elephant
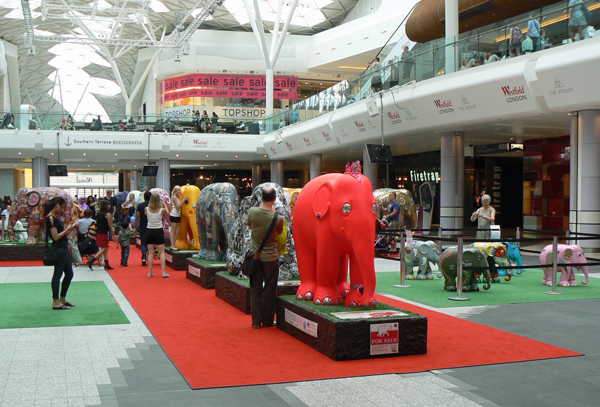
237	292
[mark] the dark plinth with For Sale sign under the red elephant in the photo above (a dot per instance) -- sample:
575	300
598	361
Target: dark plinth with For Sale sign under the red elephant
377	334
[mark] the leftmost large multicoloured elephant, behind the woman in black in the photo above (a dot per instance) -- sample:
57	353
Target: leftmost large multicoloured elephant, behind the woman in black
29	203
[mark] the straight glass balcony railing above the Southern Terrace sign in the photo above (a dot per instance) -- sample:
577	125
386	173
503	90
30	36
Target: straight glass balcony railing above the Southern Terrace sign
31	119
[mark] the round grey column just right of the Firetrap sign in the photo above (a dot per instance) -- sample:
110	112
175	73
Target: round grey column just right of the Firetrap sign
452	183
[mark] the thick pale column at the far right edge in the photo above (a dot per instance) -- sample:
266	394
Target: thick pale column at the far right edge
585	175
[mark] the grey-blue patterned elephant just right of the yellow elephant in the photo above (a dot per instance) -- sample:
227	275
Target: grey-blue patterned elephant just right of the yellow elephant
216	211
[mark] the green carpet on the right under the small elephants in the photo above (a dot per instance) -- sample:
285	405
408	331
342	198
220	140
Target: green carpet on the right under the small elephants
526	287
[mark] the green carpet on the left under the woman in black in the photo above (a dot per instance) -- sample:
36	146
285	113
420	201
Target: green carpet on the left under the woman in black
29	305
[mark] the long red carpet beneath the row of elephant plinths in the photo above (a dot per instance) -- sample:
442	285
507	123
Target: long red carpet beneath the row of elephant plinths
213	344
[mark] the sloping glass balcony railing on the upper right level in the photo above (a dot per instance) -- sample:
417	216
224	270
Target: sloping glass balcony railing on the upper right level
560	24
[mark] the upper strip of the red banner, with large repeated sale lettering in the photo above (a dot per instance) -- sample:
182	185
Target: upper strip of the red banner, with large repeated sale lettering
228	81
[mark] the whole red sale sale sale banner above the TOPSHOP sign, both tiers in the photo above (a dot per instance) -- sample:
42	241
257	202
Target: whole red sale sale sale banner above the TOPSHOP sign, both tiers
227	86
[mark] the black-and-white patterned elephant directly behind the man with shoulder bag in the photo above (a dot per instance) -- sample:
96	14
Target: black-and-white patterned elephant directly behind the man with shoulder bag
239	238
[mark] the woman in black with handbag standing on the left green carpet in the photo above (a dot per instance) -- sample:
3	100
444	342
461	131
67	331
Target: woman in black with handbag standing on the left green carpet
60	243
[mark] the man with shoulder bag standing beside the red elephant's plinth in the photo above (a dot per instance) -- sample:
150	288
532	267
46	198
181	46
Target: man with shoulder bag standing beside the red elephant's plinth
265	226
